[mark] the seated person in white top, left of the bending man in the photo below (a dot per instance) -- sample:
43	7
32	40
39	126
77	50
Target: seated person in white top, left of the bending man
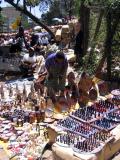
29	62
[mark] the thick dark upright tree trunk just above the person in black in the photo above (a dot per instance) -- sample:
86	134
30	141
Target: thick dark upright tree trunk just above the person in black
84	20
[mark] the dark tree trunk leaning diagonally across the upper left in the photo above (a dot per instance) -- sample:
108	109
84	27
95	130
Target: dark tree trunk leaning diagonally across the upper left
30	15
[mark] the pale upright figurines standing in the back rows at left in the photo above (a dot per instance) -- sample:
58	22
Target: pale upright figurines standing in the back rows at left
21	97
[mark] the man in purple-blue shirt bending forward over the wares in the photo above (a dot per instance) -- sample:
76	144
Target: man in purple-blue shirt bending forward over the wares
56	65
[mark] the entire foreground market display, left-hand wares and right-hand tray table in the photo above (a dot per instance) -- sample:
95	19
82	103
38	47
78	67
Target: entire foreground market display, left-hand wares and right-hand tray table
85	133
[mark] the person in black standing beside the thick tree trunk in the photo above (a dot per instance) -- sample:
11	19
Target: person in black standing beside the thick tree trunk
78	49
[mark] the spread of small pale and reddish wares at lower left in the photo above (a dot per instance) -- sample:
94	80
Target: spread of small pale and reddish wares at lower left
23	143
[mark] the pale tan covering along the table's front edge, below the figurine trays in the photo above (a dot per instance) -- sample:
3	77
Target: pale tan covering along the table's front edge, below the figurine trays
62	153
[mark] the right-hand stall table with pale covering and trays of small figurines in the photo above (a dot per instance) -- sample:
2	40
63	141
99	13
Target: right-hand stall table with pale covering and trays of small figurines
81	141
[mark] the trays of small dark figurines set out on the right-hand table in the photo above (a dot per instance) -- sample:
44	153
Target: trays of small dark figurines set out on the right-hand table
87	130
